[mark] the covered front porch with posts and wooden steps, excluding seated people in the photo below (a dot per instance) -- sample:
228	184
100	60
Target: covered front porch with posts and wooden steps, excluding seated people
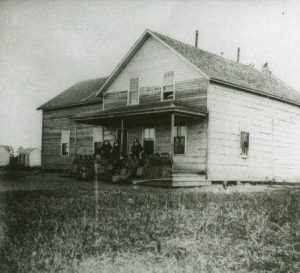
164	130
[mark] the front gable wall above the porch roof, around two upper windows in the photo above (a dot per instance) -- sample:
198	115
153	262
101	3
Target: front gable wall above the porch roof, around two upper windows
149	64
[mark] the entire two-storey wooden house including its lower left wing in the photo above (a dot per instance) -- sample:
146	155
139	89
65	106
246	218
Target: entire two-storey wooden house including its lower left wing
220	120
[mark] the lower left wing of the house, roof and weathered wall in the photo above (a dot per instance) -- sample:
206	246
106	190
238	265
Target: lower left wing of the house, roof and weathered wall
62	137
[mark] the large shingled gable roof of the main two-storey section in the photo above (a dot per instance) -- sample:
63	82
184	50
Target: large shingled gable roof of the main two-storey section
217	69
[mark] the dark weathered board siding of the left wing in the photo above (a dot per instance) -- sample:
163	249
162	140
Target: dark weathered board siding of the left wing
54	121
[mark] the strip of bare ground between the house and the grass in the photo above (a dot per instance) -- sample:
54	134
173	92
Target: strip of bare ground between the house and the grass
36	180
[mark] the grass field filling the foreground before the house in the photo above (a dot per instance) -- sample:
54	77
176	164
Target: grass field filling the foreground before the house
130	229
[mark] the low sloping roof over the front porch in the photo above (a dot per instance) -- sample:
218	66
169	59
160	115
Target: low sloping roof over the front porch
137	110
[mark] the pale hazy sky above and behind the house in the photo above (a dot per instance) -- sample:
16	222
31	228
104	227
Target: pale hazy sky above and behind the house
47	46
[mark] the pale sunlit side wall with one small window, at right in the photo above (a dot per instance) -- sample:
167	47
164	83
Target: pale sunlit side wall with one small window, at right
274	128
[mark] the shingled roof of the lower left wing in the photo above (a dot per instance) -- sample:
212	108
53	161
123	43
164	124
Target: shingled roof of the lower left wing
81	93
